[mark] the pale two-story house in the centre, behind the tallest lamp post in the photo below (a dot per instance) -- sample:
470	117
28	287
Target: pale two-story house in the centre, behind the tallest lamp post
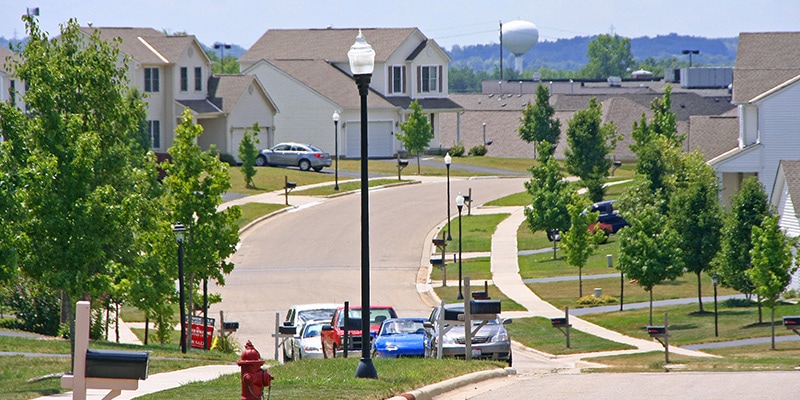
307	73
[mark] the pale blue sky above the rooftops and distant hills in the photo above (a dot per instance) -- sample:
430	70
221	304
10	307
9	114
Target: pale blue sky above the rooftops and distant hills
450	22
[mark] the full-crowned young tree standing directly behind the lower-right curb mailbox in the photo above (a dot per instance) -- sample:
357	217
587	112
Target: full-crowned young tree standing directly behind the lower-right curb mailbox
649	251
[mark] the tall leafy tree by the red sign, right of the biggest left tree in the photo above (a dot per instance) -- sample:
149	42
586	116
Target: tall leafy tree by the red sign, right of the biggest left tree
194	185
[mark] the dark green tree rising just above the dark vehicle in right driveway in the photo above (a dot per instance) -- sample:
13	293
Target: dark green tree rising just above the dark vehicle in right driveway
590	142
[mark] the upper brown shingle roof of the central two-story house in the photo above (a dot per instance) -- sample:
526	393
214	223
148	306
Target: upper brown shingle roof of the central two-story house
323	44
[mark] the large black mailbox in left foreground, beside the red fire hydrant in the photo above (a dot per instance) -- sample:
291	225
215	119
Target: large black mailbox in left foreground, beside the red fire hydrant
117	364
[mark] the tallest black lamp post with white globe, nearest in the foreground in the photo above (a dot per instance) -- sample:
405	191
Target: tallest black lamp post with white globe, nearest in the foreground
362	62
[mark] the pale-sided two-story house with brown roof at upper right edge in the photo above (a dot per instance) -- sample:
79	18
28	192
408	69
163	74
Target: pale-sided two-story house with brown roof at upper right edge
767	94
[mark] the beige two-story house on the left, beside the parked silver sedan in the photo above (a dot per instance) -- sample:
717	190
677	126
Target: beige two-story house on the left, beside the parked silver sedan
174	73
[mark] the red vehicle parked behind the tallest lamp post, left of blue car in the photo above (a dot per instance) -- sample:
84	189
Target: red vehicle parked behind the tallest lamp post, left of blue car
333	334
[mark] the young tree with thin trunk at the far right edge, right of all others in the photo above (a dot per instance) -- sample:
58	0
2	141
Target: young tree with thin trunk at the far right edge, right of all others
772	264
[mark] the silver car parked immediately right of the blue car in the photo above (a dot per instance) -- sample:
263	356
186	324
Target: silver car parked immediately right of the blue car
490	340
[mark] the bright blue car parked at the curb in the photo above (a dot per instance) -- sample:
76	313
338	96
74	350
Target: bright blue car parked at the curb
400	337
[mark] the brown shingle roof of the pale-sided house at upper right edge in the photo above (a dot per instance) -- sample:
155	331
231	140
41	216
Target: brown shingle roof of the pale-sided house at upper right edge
764	60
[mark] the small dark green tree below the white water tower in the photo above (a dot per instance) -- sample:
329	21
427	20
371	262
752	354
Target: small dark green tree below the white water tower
538	122
